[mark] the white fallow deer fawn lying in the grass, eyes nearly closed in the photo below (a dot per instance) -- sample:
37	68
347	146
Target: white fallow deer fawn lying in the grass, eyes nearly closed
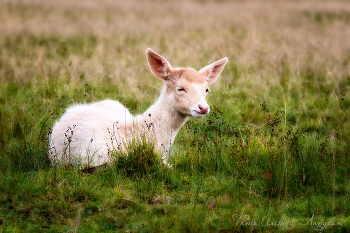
87	133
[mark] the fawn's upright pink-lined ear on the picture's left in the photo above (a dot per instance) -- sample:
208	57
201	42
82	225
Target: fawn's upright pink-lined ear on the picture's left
159	66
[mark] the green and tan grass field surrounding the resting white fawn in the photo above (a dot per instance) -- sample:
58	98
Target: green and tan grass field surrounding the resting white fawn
273	155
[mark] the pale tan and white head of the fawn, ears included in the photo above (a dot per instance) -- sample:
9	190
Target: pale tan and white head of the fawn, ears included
186	88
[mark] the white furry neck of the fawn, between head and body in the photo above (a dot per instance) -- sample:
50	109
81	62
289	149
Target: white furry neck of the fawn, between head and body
162	121
